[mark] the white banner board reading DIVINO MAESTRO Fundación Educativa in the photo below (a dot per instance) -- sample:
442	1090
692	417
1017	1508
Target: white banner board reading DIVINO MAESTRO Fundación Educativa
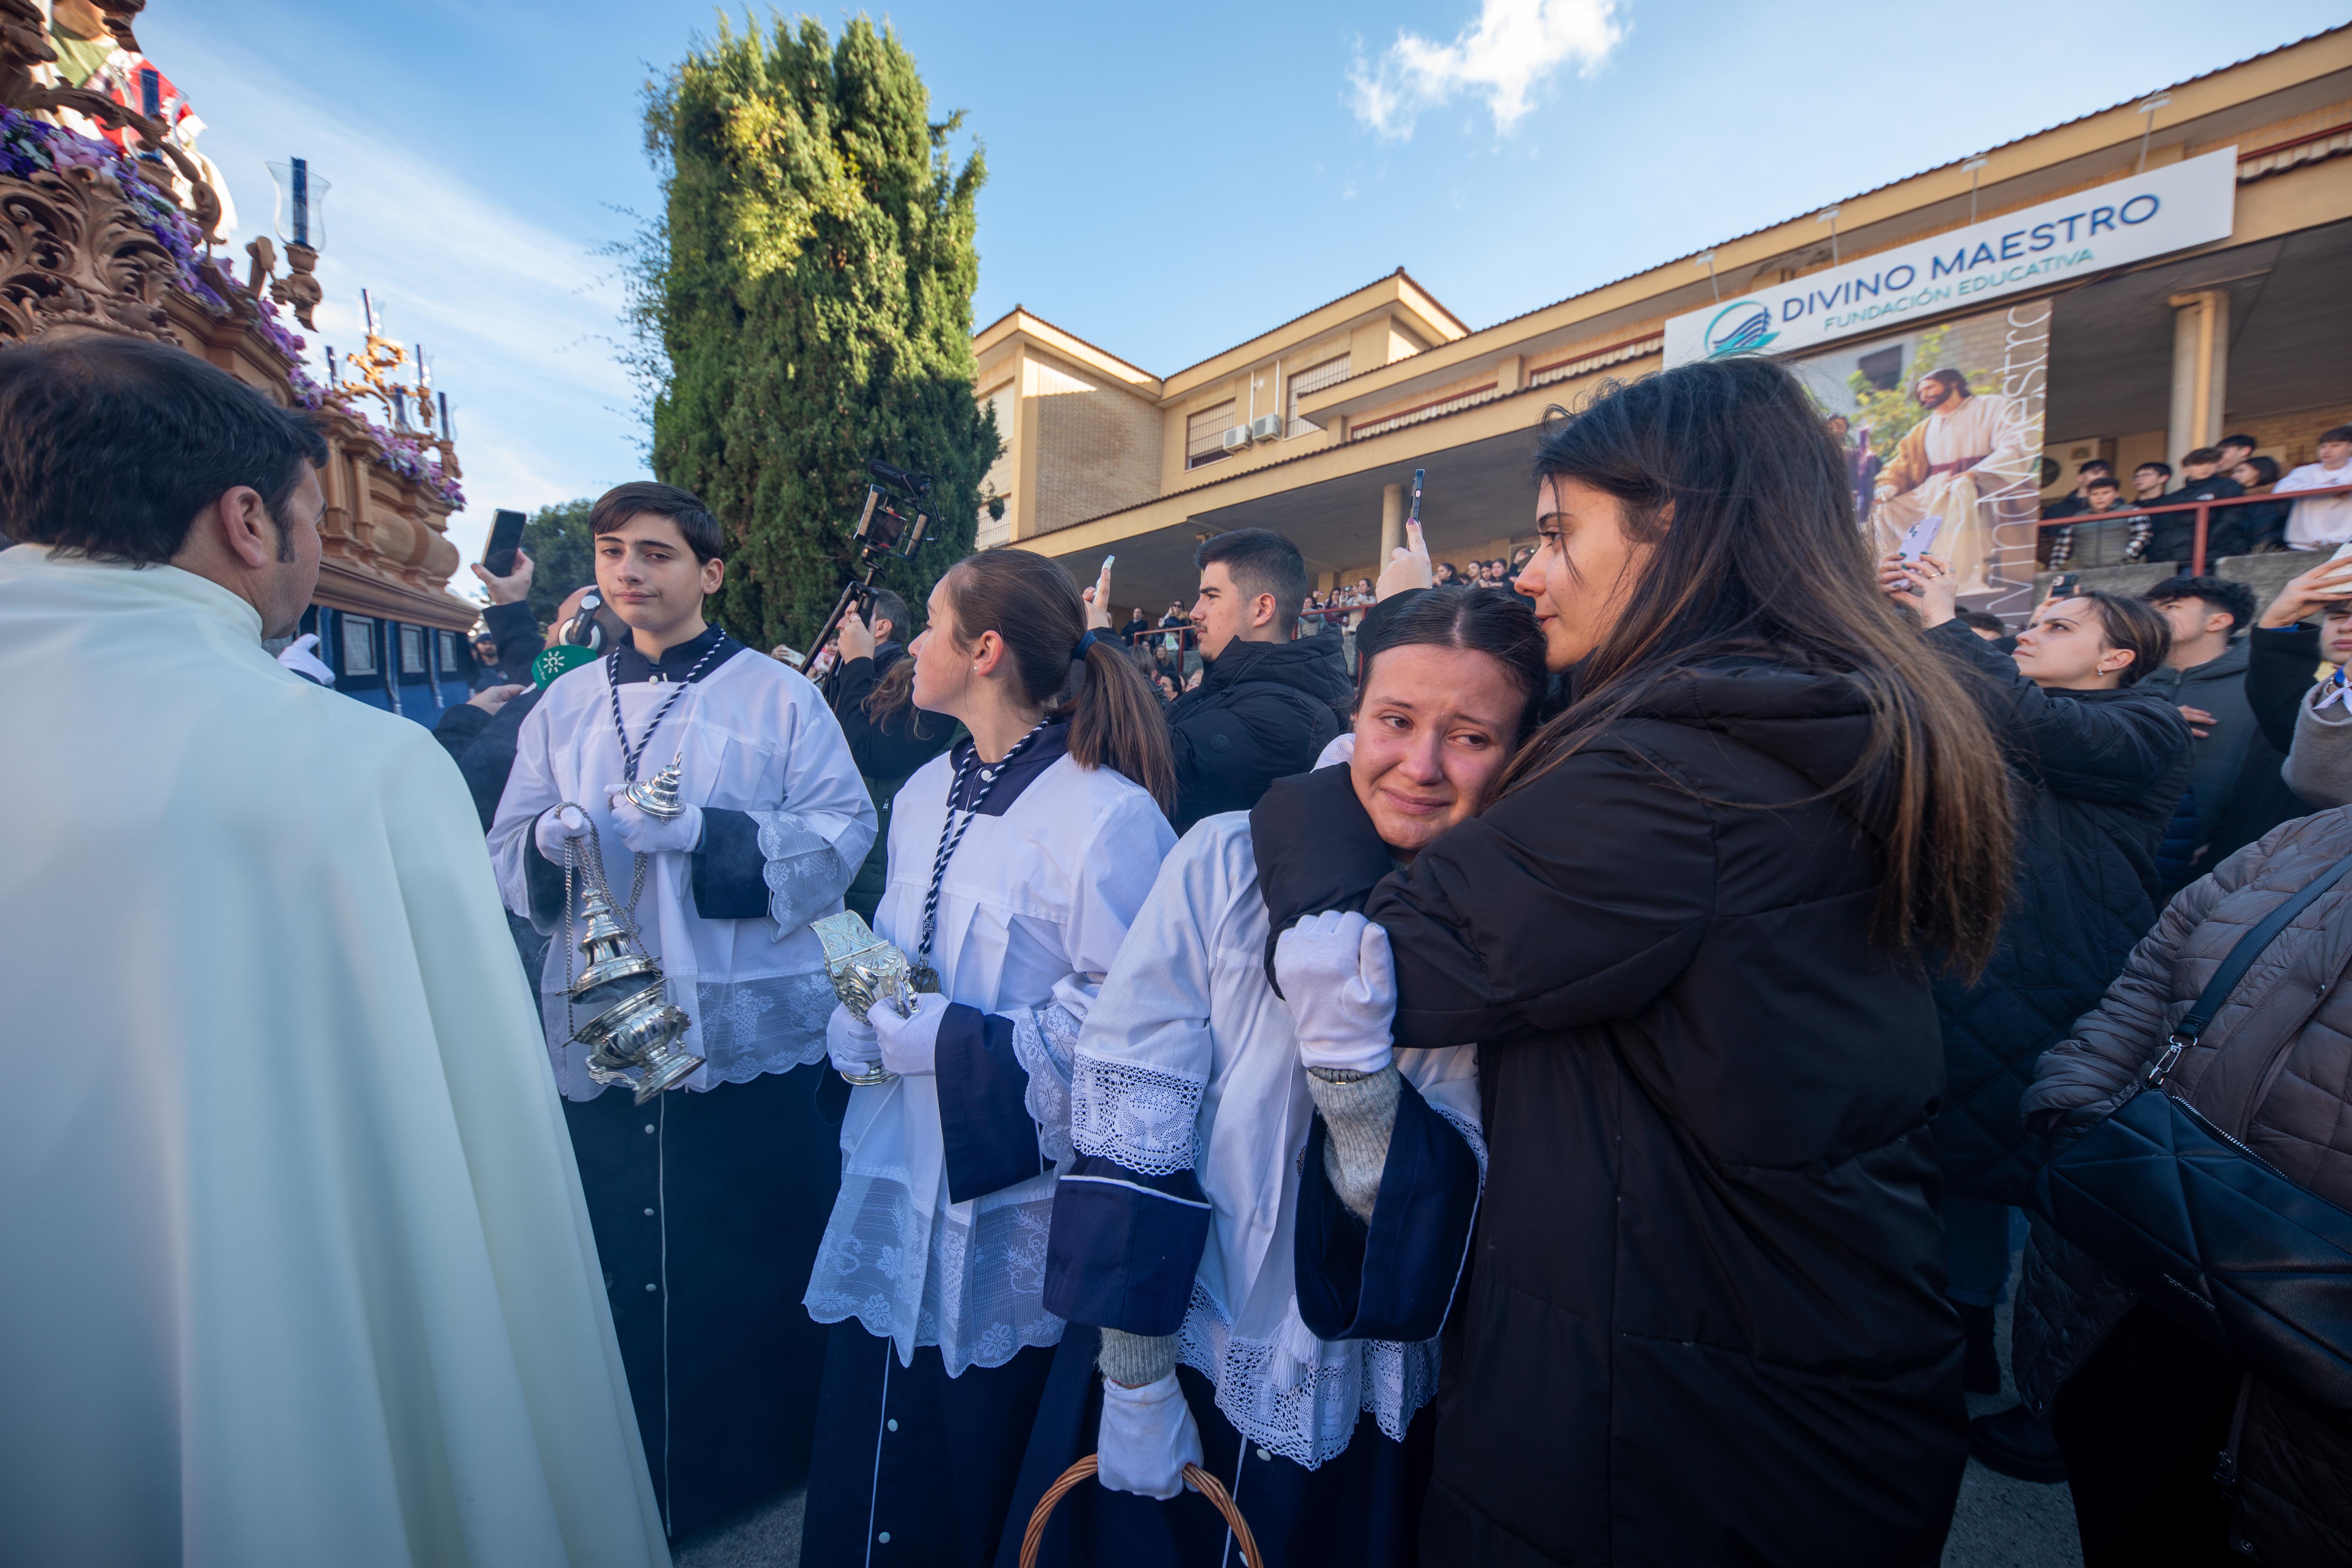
2019	253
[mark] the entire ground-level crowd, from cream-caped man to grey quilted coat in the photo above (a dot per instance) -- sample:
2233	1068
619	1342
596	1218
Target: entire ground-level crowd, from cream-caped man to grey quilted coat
1549	1076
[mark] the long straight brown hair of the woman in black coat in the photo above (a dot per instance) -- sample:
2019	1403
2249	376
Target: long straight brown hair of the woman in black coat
1765	558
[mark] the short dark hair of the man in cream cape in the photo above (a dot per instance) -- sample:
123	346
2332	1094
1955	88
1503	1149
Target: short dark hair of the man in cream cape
109	448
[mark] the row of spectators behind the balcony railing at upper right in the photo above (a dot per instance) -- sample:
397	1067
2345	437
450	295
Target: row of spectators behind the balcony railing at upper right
2102	525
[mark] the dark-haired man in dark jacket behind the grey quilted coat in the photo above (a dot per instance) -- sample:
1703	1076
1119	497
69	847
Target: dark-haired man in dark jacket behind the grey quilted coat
2236	793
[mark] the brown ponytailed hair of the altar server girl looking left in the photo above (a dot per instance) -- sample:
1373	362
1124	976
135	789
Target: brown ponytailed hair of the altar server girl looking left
1036	610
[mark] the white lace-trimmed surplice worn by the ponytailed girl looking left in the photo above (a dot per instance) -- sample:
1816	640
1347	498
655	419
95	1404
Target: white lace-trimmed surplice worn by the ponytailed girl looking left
1031	916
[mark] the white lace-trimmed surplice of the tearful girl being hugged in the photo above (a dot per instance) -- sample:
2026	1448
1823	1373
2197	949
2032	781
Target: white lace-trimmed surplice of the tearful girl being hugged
1191	1064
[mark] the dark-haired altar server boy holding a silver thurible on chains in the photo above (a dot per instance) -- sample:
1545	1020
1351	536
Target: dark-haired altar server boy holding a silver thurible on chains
709	1224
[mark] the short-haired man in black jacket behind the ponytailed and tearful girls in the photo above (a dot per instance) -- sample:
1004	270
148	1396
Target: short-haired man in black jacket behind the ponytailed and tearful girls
1267	704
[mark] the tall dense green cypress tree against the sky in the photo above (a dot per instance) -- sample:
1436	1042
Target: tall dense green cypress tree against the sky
806	304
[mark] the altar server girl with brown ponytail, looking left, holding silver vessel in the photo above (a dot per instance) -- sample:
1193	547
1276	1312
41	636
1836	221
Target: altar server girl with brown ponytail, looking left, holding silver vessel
1017	862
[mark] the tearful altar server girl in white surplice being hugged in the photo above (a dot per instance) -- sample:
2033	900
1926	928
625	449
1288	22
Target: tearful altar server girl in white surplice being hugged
1269	1209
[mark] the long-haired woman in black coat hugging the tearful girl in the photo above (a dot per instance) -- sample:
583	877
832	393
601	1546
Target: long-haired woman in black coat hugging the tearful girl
1704	1318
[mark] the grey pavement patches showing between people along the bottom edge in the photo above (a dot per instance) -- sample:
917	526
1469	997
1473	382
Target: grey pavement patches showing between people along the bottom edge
2000	1522
